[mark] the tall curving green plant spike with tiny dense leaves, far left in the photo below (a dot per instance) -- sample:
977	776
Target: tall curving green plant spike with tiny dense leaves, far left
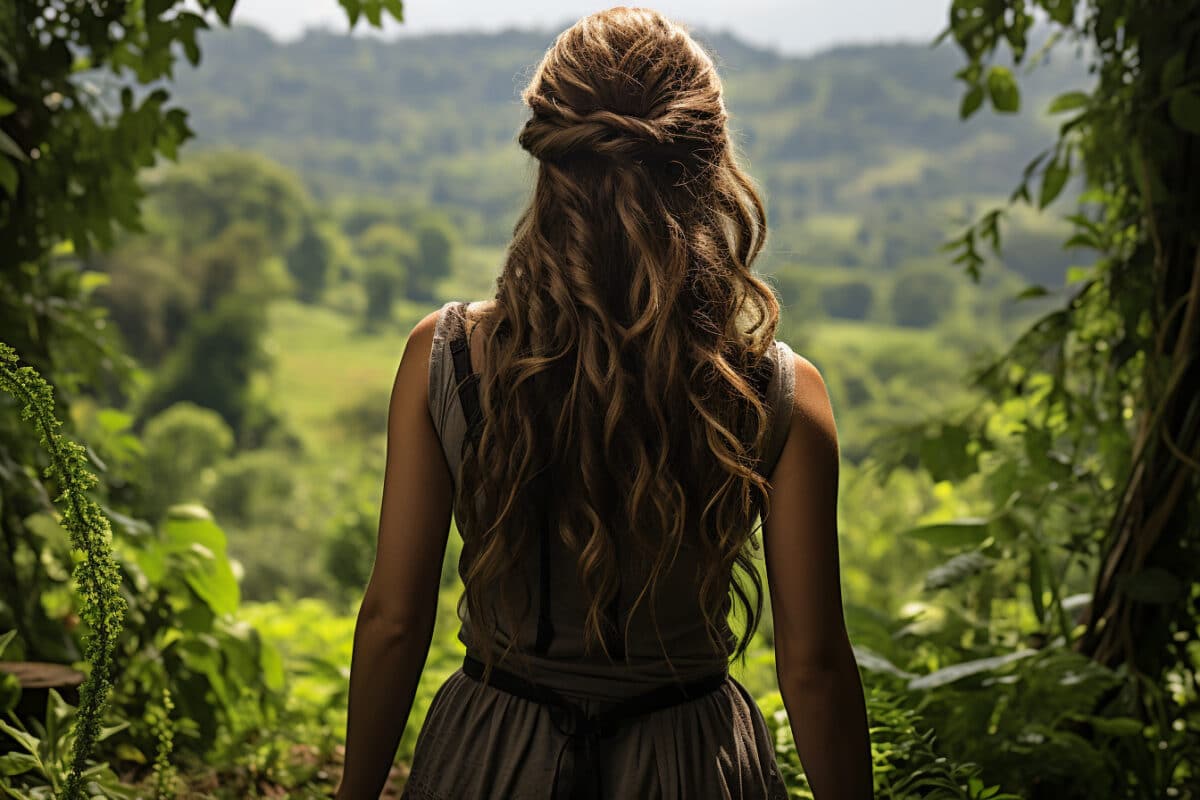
97	576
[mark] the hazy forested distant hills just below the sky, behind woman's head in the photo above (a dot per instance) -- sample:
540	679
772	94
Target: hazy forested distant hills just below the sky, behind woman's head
435	119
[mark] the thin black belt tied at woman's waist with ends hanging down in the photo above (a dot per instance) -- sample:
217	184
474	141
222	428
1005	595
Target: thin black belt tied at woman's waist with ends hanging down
578	771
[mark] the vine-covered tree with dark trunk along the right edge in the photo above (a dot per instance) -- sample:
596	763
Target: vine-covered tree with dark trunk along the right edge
1114	370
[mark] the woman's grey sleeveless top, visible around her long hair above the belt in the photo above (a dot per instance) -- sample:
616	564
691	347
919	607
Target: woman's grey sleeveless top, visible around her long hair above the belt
560	661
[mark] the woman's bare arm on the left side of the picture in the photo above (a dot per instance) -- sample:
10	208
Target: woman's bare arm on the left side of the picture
395	623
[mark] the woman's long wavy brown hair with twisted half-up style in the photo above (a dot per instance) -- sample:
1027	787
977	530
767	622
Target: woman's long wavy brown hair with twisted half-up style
626	330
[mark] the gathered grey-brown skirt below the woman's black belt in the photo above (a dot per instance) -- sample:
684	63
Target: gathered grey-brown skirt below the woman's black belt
481	743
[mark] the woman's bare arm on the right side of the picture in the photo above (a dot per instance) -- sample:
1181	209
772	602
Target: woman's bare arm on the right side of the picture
817	669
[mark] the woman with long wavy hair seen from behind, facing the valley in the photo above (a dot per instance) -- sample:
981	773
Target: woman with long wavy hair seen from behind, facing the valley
621	413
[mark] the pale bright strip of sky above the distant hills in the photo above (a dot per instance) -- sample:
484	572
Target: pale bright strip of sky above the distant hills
800	27
